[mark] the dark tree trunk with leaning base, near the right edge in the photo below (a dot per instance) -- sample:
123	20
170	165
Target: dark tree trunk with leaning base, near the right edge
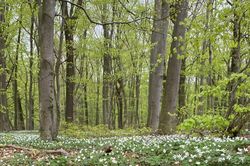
240	118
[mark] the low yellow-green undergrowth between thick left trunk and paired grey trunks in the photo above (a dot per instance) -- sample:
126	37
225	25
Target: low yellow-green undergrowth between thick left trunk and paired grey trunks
81	131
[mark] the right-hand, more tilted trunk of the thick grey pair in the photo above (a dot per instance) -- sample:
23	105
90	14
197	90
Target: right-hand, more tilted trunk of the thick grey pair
168	116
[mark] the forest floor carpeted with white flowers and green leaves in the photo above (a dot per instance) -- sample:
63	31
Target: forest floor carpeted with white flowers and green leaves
25	148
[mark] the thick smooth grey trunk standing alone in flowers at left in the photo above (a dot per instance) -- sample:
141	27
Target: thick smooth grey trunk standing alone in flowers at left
48	119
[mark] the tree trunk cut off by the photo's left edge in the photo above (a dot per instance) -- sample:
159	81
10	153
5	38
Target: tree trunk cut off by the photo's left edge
5	124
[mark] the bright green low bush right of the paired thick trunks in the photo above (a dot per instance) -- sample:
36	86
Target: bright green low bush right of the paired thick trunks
204	123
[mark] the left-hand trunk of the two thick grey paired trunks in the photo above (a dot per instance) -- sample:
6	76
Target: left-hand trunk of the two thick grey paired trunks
157	58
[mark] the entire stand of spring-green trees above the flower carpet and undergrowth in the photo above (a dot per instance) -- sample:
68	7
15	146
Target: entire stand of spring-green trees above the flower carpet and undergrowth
123	63
